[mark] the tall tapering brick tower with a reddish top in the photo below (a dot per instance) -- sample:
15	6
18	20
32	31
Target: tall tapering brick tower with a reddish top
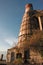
25	29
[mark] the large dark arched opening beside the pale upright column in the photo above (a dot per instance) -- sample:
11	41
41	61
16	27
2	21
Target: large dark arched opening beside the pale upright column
34	23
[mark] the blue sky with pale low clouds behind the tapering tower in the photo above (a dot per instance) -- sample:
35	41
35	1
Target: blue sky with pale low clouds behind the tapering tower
11	12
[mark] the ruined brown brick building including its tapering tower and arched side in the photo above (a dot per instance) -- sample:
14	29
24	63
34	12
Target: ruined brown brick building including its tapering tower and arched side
32	22
